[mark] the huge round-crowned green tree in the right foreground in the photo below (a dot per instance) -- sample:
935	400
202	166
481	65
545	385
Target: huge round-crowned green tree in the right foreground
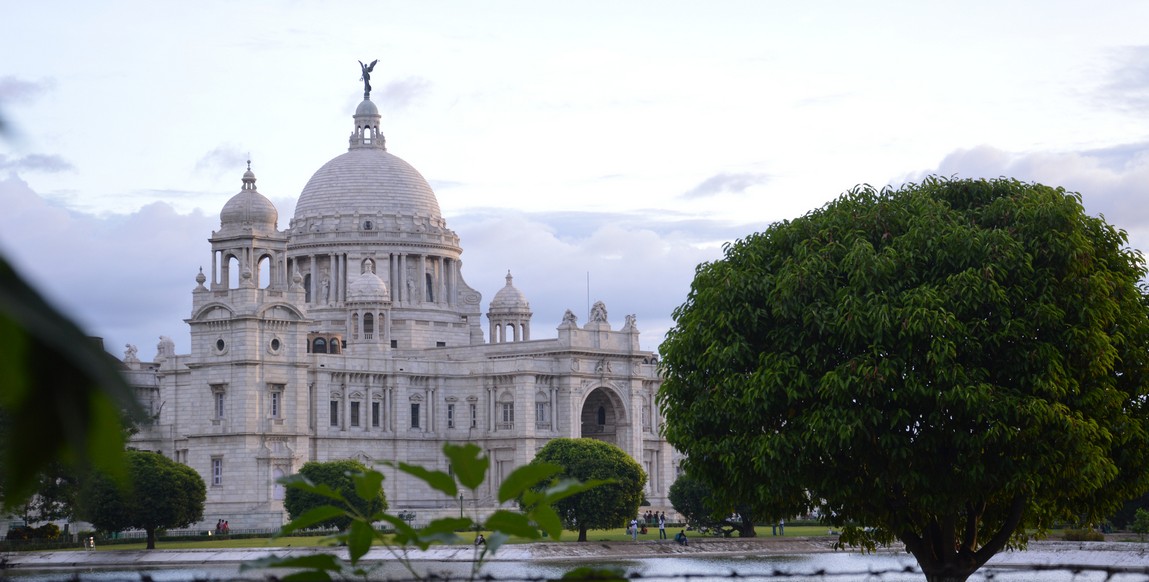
948	363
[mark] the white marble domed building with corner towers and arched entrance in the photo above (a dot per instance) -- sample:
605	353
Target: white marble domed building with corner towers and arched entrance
352	335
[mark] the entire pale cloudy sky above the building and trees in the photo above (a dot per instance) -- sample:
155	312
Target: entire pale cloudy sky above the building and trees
593	145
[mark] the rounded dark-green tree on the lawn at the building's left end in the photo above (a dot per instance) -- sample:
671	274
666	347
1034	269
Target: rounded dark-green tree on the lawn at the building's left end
161	494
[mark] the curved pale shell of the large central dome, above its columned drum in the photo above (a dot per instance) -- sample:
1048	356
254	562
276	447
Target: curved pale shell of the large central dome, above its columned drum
371	182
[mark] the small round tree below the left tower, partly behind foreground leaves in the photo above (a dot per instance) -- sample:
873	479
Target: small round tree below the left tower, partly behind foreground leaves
340	477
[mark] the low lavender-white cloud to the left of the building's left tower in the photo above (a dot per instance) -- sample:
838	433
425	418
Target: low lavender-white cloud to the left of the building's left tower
126	278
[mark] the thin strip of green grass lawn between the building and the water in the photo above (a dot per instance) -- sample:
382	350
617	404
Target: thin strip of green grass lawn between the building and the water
595	536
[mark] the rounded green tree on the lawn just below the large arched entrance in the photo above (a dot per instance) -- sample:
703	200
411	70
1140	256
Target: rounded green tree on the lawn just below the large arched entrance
605	507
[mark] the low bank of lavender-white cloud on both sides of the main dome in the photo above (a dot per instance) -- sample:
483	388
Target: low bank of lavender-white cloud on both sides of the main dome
128	278
